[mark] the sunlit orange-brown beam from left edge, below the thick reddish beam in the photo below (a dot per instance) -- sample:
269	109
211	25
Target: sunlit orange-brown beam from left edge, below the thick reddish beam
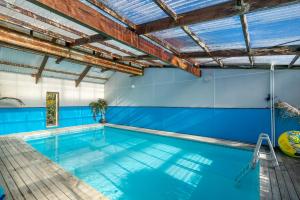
20	40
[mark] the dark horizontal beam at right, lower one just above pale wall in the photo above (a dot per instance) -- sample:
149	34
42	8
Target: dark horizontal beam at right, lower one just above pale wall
284	50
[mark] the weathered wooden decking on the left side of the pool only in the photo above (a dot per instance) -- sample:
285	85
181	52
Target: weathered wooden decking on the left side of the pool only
26	174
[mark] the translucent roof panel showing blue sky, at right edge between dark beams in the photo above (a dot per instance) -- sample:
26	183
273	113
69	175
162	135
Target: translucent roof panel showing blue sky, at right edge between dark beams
276	26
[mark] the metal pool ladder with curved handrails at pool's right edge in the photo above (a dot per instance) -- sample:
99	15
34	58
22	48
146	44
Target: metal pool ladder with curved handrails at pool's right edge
256	157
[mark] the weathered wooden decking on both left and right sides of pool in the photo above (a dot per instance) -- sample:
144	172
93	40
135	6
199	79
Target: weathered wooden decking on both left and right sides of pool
26	174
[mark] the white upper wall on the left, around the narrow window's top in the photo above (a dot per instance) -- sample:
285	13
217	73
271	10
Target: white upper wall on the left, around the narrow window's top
34	95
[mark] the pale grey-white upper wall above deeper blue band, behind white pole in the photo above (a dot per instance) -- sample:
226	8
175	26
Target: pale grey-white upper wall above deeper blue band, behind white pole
217	88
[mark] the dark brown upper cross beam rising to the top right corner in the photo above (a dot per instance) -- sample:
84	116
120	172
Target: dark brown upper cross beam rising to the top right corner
218	11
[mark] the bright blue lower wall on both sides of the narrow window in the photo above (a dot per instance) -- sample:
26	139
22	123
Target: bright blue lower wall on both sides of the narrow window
14	120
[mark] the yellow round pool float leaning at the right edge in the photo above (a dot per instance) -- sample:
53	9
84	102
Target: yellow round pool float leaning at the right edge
289	143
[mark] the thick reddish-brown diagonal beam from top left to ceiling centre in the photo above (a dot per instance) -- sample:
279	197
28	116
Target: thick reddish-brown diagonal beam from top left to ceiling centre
79	12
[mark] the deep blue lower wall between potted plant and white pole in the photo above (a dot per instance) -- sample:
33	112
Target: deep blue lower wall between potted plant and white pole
240	124
